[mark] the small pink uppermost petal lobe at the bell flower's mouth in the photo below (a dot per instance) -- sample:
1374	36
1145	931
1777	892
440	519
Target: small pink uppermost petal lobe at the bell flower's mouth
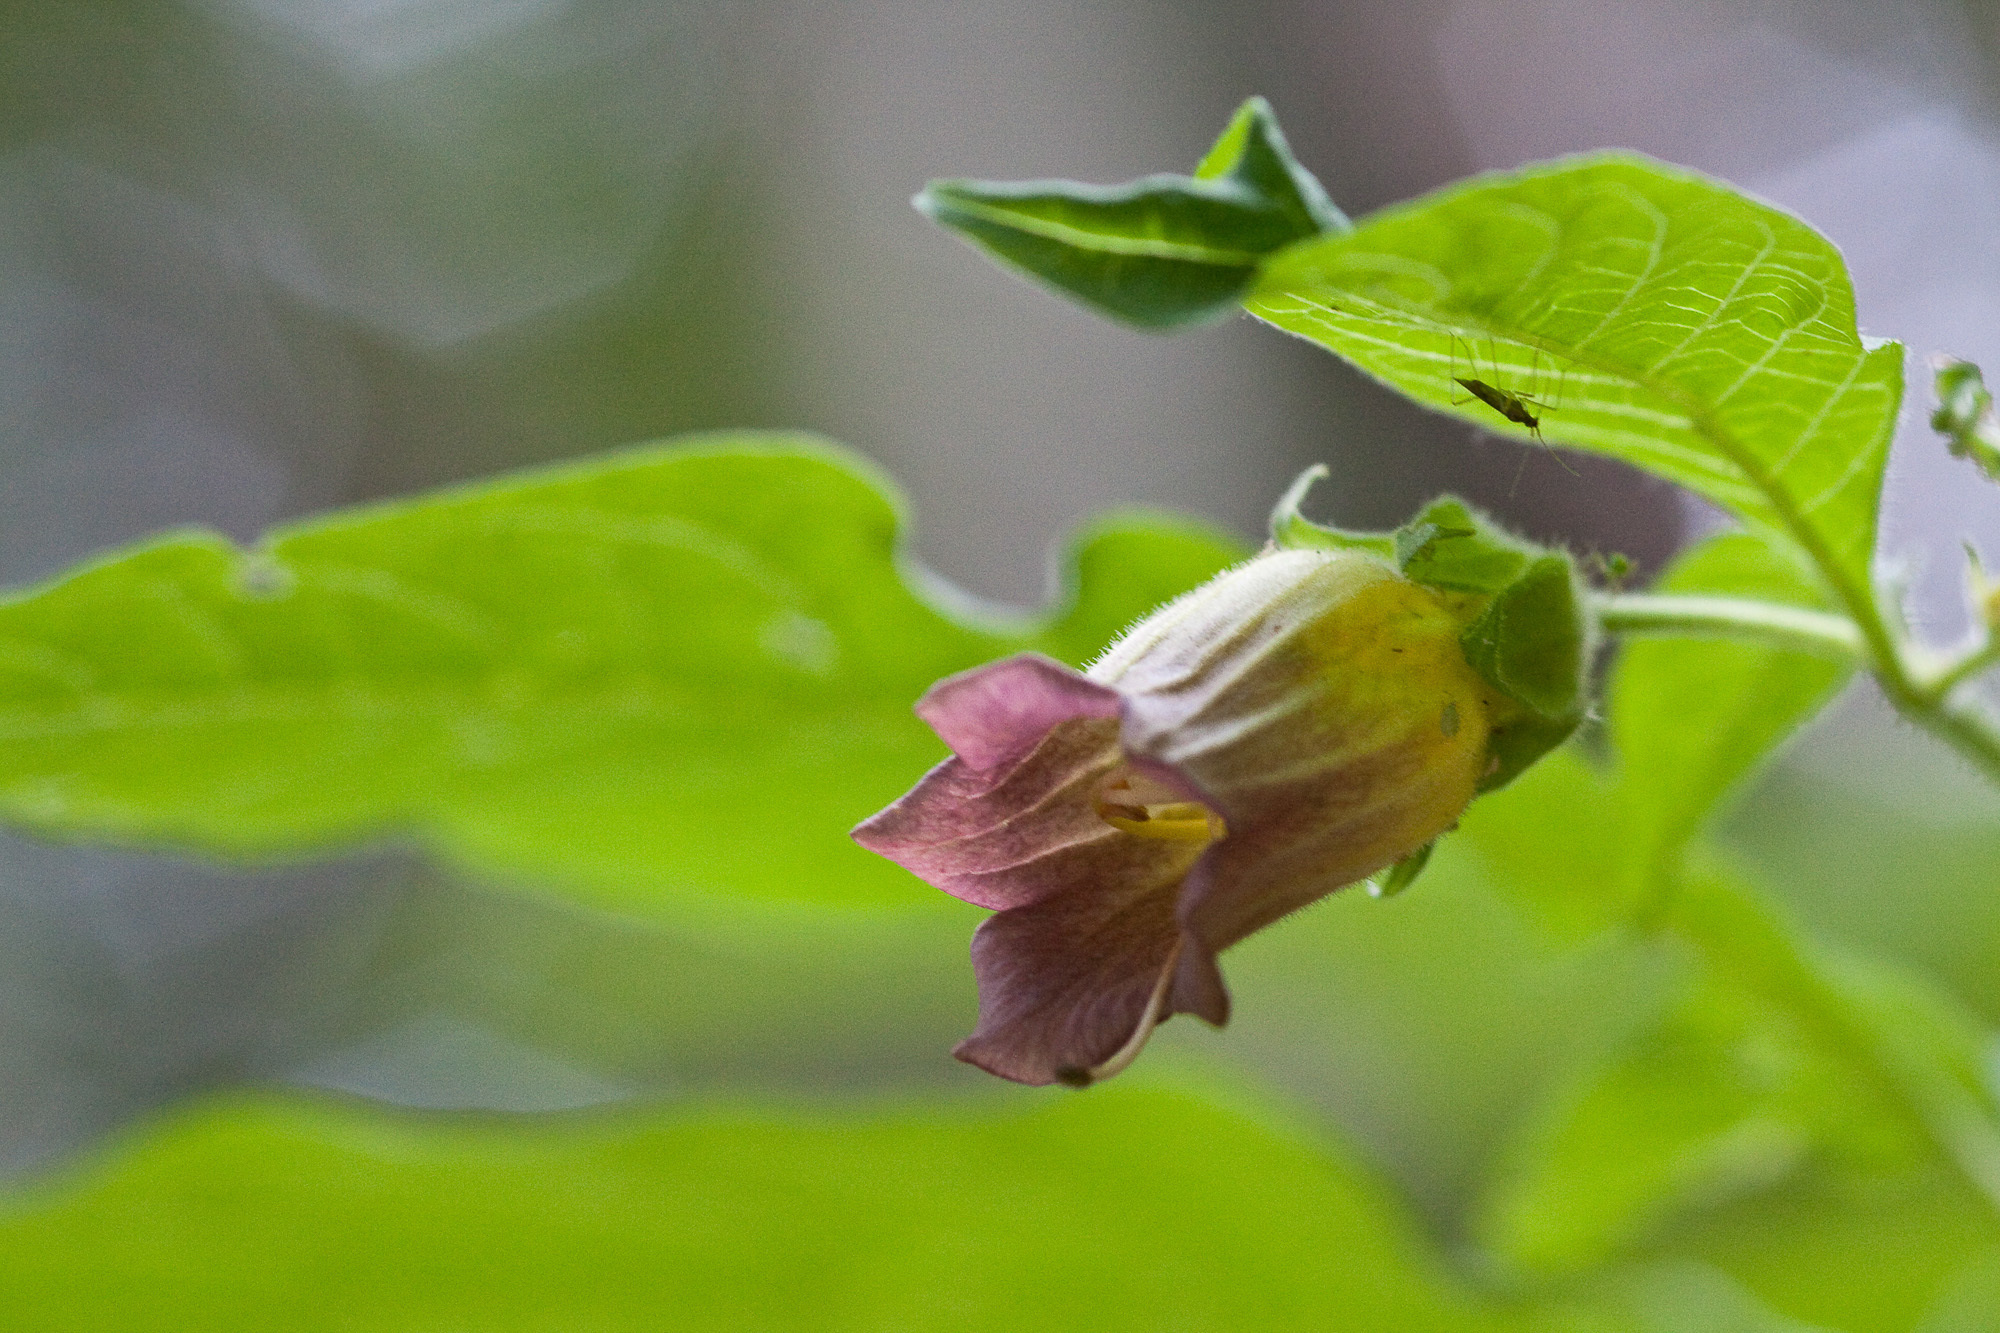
1001	712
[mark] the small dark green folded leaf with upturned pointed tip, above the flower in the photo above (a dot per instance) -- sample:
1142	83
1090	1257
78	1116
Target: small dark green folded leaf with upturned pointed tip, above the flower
1157	253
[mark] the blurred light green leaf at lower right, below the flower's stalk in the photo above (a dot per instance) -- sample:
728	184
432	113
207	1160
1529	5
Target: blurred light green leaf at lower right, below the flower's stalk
1775	1058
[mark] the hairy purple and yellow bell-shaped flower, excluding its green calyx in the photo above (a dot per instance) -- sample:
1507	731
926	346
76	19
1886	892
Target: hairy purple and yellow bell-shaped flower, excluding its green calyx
1295	726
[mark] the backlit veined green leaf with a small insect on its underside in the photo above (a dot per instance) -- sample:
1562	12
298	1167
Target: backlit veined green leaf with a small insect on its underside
1645	313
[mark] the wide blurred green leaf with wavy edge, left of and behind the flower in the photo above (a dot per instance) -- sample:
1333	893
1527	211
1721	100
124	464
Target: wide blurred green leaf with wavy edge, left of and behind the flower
545	676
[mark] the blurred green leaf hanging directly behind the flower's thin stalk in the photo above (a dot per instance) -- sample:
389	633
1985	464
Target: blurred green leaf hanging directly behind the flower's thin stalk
1693	718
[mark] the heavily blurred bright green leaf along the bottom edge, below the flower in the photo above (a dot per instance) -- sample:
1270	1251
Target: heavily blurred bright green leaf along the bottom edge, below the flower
1127	1210
